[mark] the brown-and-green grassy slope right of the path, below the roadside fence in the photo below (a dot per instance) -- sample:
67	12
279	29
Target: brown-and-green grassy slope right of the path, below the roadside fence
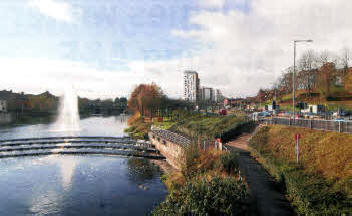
322	183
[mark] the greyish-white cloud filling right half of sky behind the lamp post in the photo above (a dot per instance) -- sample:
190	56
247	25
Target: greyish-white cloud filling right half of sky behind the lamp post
250	50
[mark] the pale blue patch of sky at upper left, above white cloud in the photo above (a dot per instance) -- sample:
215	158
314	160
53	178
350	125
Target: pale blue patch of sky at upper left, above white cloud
102	33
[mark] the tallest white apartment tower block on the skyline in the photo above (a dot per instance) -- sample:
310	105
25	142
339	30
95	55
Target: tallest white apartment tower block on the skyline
191	86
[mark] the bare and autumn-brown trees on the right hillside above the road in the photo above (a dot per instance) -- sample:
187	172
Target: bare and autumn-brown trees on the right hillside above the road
325	74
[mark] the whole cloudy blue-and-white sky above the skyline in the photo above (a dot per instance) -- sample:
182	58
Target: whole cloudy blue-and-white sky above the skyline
104	48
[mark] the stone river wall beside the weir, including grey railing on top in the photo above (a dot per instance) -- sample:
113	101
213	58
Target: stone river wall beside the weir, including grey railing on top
171	145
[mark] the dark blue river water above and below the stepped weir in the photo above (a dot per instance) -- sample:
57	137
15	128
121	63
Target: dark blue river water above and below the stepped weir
78	185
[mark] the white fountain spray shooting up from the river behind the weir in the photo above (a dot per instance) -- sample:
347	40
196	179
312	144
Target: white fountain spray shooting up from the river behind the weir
68	118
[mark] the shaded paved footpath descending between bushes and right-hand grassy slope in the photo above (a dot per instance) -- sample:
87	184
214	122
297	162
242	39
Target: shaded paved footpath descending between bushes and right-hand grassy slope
269	201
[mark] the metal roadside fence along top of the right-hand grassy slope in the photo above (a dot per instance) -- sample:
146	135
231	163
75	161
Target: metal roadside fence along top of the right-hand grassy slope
328	125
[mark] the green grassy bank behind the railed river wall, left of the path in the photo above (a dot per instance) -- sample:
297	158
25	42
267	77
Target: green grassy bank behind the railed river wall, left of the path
193	124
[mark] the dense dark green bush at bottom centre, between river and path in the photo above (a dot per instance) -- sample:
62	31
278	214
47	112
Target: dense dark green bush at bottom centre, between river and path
218	196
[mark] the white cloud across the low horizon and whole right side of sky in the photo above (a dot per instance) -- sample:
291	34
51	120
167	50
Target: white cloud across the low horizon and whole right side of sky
245	52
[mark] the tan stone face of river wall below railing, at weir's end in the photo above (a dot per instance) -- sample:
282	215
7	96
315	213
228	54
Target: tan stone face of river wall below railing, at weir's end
173	152
